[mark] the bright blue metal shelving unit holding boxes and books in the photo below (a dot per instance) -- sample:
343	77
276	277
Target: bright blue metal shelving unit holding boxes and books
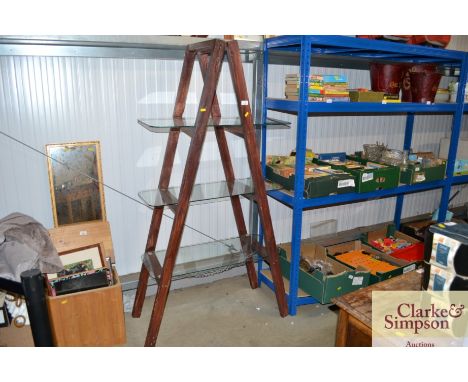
309	47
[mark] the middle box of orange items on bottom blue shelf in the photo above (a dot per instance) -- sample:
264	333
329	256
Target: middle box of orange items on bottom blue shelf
403	266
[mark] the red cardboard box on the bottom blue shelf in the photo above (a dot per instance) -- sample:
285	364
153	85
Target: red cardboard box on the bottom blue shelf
414	252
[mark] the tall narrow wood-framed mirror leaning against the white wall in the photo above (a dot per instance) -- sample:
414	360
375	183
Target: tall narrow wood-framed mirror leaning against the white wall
75	178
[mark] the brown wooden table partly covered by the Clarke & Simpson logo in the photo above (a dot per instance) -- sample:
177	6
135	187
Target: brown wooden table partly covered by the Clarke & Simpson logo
354	327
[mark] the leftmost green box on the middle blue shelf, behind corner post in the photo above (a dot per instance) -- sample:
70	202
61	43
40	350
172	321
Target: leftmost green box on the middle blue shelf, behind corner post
329	184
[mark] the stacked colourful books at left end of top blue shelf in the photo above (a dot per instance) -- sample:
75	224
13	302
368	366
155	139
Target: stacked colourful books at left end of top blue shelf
322	88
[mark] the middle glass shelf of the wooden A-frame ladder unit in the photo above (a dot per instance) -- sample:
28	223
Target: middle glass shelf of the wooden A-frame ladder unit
203	193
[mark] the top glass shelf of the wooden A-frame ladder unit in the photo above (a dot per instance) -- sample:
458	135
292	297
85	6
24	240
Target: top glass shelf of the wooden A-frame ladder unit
165	124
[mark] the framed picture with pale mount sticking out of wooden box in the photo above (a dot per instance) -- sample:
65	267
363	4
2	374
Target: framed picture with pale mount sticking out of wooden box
80	260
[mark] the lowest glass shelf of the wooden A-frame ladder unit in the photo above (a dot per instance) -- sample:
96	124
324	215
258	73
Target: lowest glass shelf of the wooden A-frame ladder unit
205	259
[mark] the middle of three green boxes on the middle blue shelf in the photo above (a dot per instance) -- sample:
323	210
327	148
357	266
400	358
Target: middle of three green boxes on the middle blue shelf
373	177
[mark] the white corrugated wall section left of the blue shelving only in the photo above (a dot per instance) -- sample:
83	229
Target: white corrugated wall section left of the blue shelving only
55	100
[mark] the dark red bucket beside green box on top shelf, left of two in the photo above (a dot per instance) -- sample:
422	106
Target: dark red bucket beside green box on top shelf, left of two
386	77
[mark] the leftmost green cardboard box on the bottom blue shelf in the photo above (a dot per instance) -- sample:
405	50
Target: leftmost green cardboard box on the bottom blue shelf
318	285
